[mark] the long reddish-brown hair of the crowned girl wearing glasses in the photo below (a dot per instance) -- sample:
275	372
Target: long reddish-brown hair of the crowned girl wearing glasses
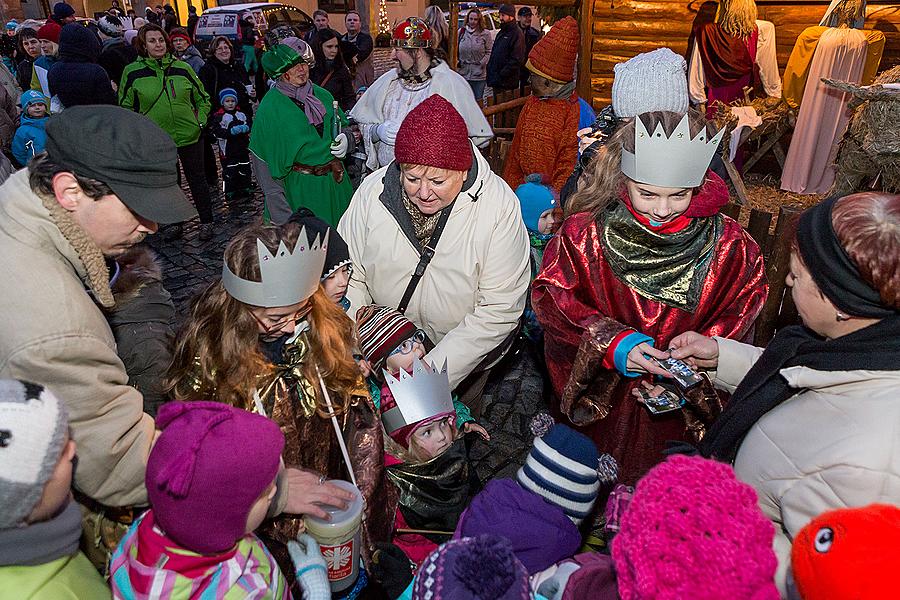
217	354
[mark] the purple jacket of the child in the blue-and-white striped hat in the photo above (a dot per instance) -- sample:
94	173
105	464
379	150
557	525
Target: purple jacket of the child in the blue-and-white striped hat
541	533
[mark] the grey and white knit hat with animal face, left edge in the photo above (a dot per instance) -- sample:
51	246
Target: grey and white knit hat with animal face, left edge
33	425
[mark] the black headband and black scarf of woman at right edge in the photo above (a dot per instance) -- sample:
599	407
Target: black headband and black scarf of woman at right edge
874	348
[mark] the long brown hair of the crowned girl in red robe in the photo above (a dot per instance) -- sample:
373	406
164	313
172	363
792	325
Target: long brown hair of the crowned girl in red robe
603	180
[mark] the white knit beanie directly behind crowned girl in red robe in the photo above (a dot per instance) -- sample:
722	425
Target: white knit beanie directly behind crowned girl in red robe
649	82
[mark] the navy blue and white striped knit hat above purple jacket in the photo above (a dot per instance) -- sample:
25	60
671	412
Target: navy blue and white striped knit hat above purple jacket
562	468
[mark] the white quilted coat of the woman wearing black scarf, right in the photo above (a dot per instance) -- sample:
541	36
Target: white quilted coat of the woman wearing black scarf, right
834	445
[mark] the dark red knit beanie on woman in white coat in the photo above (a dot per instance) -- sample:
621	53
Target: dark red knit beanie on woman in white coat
434	134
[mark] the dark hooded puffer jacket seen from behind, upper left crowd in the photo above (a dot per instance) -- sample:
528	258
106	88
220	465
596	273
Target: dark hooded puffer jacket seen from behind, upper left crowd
76	78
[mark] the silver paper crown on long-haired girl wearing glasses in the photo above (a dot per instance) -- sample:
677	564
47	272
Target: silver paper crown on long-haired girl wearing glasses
286	277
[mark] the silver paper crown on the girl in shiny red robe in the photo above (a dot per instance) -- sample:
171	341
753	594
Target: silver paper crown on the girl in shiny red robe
676	161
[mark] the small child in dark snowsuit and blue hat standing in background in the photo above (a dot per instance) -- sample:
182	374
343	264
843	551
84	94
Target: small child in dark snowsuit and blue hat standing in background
232	127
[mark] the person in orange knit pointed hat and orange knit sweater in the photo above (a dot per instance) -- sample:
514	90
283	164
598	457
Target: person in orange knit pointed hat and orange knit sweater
545	141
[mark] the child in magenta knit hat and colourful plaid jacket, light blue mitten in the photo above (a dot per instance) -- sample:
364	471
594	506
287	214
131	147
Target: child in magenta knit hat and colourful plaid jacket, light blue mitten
206	499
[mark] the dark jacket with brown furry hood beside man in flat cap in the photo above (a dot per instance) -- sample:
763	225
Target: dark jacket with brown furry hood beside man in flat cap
142	322
